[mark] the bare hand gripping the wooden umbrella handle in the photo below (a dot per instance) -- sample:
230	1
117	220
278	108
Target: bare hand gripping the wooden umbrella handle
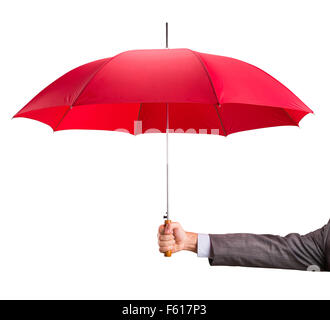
173	238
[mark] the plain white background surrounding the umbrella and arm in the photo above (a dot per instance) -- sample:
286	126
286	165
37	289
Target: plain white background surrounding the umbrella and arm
79	210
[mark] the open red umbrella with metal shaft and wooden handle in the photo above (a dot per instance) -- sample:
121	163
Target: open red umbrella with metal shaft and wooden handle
177	90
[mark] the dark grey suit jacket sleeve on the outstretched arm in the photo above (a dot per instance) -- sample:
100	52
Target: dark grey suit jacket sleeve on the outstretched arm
293	251
